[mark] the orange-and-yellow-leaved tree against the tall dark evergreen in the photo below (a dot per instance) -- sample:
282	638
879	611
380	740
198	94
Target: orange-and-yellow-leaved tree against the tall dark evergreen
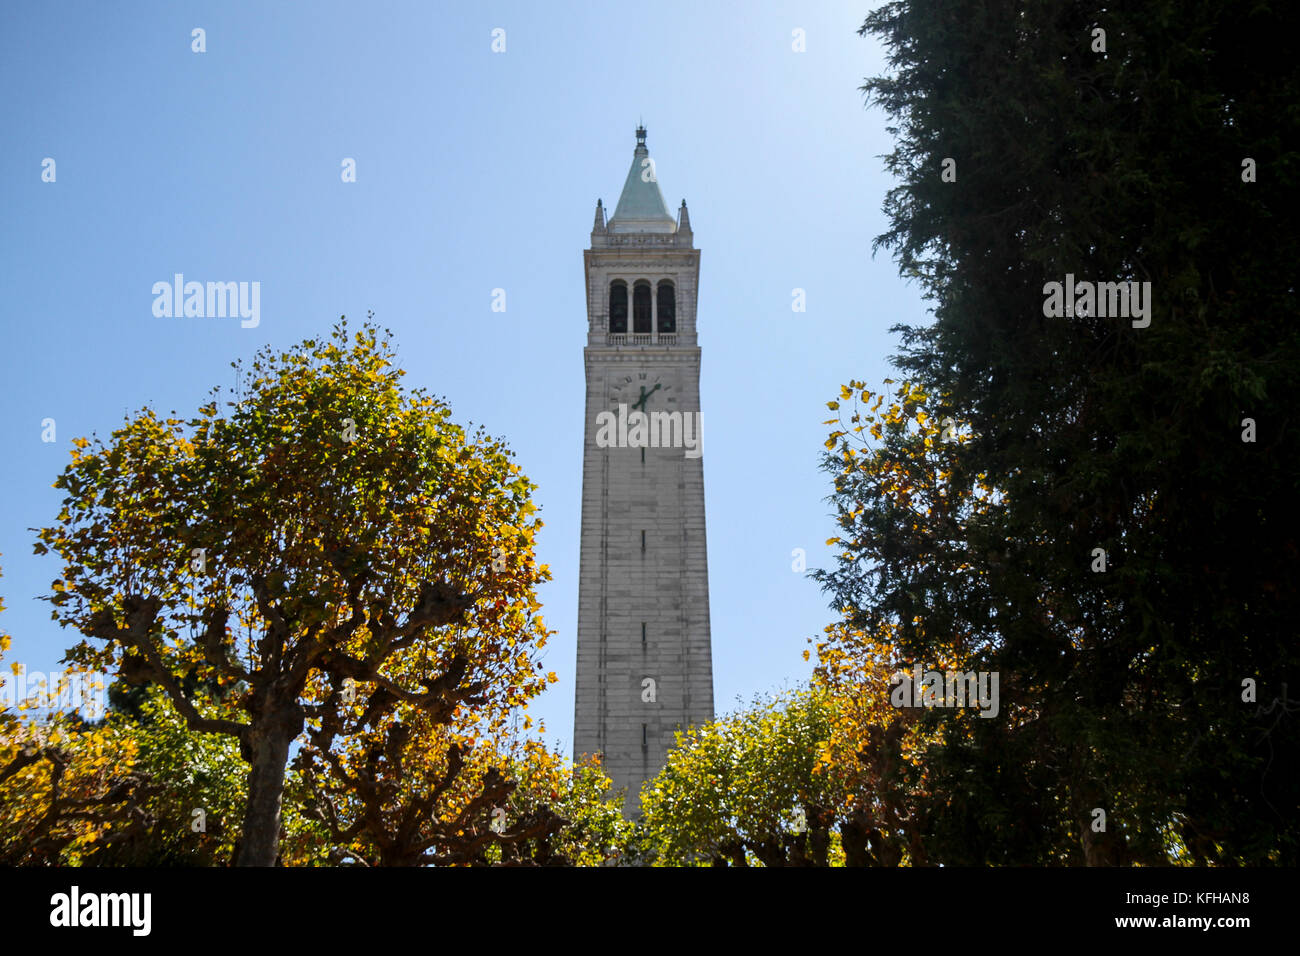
912	587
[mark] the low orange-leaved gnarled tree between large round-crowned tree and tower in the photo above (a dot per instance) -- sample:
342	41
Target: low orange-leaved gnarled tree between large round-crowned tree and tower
414	793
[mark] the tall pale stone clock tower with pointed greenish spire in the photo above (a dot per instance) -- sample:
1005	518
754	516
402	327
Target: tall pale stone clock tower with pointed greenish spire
644	660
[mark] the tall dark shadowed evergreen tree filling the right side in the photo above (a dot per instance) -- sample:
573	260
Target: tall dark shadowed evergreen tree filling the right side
1097	436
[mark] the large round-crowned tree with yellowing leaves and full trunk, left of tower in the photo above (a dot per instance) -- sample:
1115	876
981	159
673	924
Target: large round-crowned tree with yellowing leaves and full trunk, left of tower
330	527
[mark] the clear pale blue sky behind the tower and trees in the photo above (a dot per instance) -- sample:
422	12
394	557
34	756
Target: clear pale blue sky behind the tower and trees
476	171
